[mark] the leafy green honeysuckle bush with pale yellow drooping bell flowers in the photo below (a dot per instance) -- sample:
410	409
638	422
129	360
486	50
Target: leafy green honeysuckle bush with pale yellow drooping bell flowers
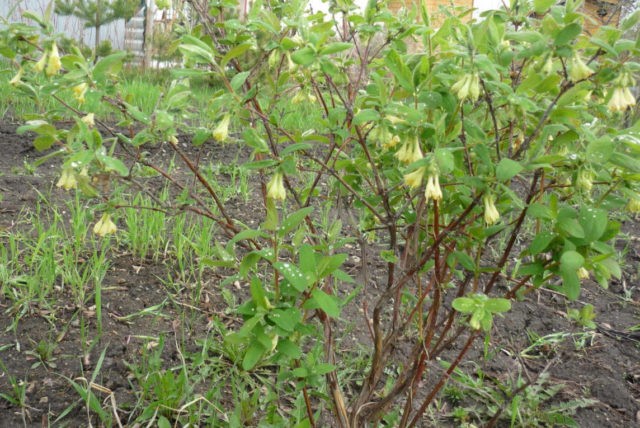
474	161
